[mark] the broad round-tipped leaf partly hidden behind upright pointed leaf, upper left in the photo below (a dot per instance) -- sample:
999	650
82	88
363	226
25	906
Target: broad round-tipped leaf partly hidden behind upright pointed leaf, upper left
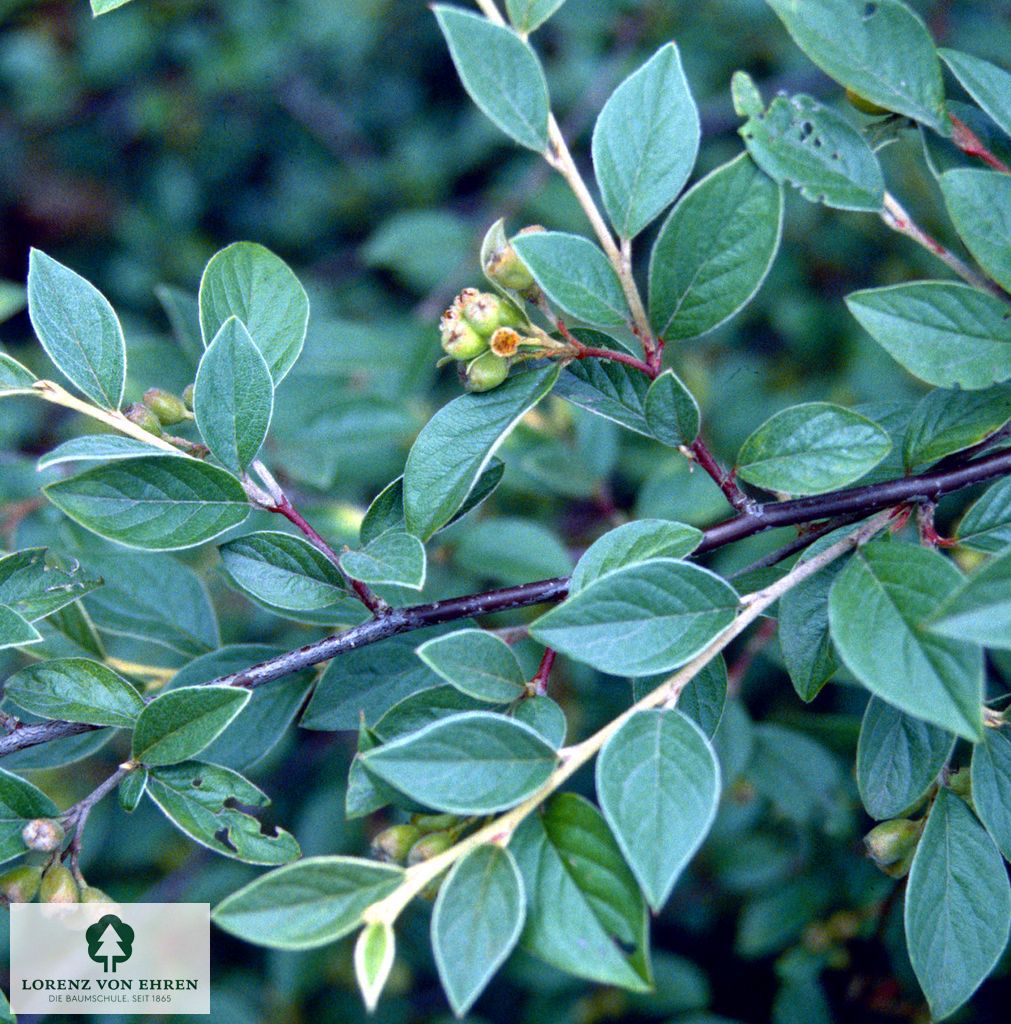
249	282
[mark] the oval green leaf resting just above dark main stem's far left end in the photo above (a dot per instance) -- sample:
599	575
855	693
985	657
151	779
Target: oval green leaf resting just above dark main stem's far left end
76	690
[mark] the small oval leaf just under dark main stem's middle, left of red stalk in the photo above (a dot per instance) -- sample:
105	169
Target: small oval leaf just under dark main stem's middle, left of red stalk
477	663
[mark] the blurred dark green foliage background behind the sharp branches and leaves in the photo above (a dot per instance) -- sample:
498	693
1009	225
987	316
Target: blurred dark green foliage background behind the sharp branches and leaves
336	134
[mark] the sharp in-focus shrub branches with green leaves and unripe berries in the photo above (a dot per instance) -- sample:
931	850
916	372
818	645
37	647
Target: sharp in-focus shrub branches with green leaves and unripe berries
473	760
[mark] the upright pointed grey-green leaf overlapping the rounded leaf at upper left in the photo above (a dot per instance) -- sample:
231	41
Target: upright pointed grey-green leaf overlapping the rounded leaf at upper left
234	397
